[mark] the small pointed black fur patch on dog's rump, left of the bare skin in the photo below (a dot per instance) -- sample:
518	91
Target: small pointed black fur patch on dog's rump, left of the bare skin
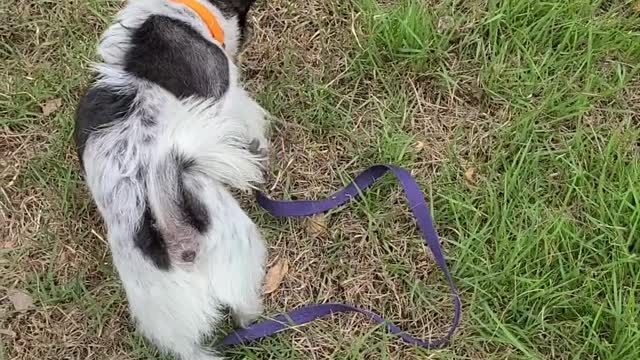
150	242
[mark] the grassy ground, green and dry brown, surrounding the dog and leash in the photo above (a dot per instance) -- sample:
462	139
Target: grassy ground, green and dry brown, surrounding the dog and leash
520	119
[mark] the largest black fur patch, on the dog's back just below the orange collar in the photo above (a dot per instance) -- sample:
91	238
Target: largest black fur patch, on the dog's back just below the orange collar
171	54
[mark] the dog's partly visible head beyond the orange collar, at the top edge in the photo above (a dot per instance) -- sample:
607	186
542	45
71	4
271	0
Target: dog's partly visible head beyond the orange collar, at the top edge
236	10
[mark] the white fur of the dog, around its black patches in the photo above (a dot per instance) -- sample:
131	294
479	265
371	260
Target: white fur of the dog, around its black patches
175	309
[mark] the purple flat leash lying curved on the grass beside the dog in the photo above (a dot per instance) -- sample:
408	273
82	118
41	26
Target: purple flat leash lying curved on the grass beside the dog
309	313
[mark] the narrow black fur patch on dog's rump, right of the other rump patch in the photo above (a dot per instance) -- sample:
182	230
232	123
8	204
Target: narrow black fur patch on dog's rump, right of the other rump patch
194	212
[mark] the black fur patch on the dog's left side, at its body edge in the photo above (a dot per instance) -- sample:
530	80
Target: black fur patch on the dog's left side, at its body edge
100	106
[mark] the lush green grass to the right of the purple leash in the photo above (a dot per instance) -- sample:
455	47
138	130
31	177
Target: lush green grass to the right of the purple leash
547	250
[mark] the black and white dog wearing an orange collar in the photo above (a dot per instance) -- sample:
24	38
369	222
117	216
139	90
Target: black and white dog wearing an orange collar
163	133
